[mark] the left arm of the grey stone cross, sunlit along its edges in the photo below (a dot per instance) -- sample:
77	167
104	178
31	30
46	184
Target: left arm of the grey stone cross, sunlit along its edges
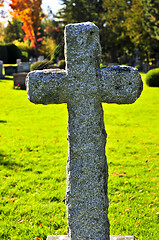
46	86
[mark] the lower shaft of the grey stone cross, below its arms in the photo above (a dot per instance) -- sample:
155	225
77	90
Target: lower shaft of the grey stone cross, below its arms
87	174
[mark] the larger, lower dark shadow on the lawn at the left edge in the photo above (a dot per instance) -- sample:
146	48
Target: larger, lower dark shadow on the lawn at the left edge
5	160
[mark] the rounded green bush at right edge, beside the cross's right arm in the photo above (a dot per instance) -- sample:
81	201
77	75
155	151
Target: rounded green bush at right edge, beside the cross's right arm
152	78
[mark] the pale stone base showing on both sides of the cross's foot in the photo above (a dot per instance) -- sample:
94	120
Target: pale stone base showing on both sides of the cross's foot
65	237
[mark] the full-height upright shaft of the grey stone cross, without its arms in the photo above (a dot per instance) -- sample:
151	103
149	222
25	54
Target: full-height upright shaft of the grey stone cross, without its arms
87	175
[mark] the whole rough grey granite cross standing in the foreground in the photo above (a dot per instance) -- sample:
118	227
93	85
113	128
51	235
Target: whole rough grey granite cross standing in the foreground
84	86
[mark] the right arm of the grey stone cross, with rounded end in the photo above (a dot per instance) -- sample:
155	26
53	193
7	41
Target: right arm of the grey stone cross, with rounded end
120	84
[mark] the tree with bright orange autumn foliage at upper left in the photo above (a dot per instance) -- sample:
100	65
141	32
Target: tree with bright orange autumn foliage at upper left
30	13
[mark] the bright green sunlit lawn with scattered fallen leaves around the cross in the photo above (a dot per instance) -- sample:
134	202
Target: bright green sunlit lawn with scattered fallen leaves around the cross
33	156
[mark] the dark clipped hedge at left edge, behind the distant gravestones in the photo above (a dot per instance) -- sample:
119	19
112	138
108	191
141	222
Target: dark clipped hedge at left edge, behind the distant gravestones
9	53
